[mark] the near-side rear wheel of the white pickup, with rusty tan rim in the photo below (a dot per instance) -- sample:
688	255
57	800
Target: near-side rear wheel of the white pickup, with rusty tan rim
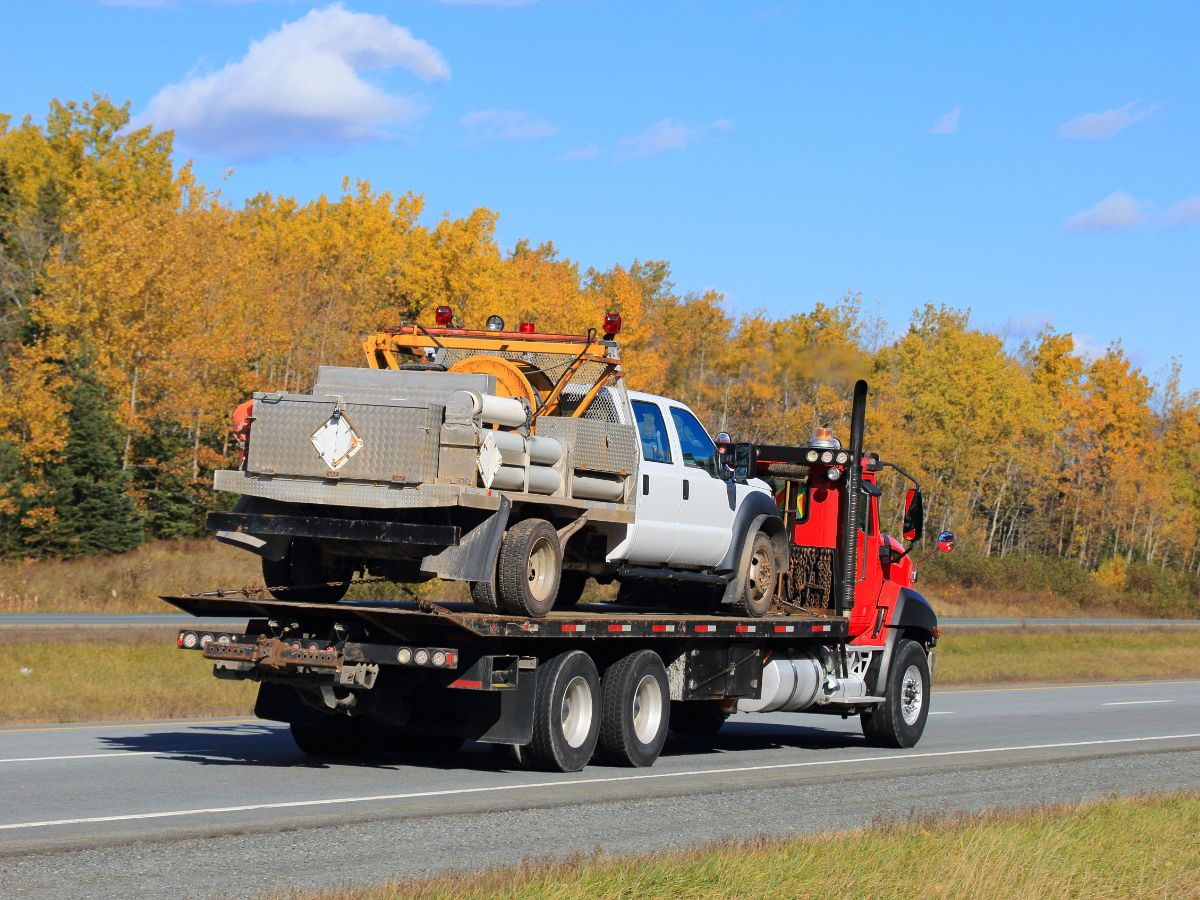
530	568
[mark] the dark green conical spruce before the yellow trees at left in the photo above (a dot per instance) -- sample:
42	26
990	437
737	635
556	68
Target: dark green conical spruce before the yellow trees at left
88	489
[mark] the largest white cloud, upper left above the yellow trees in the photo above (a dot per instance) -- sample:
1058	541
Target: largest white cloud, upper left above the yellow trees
299	88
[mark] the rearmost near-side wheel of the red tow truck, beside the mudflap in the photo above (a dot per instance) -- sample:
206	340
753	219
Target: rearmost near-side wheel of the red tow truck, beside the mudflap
567	713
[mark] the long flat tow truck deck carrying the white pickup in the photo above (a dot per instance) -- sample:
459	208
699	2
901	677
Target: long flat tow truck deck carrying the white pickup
409	621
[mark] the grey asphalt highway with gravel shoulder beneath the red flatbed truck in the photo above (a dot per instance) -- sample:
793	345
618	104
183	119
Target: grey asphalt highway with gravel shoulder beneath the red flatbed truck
230	807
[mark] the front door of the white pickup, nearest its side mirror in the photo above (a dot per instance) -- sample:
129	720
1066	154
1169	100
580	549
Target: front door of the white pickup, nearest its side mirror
706	521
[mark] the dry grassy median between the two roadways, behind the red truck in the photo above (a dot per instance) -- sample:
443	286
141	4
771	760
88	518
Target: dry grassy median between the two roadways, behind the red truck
100	674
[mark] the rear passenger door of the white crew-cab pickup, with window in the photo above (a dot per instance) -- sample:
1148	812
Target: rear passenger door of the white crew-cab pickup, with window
659	491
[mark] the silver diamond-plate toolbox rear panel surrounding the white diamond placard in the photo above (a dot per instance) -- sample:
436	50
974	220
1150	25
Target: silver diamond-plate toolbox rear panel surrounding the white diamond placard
400	439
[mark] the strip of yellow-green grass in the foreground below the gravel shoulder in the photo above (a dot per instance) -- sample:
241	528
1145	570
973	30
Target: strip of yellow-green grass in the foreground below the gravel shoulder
1119	848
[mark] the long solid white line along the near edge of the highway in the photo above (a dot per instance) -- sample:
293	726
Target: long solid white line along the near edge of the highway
577	783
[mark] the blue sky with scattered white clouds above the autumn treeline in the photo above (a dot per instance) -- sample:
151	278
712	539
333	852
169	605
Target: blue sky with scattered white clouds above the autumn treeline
1035	164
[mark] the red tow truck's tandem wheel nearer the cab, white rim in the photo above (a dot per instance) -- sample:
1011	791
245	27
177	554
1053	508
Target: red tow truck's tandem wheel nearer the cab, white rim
635	707
